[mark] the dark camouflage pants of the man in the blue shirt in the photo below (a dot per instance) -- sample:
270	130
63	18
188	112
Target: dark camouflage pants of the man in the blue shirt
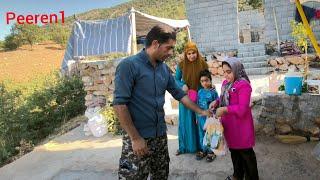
156	163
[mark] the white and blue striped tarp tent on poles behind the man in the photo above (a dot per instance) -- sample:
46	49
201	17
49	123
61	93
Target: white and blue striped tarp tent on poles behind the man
112	35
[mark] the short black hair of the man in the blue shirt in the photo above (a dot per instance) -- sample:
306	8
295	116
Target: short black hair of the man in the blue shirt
160	33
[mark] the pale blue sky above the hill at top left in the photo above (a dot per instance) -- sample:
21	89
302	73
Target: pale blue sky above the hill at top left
70	7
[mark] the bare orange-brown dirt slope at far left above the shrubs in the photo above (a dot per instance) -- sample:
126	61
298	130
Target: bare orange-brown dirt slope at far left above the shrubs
24	64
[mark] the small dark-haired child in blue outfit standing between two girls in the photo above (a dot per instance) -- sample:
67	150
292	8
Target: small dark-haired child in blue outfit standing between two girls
205	96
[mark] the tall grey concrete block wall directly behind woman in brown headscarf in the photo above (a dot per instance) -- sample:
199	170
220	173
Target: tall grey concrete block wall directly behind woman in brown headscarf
214	24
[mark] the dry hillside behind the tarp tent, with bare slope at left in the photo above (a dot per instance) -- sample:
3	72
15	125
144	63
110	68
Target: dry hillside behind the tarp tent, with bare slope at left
22	64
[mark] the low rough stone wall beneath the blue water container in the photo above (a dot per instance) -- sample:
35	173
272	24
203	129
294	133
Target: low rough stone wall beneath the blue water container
283	114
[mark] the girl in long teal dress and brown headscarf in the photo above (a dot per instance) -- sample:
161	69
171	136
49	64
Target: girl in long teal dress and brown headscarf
187	77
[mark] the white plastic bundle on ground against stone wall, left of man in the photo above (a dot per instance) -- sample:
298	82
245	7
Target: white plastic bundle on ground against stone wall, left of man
97	125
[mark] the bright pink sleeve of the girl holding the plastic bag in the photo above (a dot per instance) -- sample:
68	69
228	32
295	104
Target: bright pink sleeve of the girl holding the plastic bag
244	95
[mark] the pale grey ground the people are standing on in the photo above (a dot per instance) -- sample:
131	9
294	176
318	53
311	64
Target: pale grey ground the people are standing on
76	156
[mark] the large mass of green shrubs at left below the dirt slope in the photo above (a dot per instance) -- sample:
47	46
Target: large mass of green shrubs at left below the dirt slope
31	115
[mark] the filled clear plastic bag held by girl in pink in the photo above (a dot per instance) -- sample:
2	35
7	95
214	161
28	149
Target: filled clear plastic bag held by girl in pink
214	138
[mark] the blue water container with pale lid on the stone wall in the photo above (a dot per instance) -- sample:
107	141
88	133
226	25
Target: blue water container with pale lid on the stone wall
293	84
